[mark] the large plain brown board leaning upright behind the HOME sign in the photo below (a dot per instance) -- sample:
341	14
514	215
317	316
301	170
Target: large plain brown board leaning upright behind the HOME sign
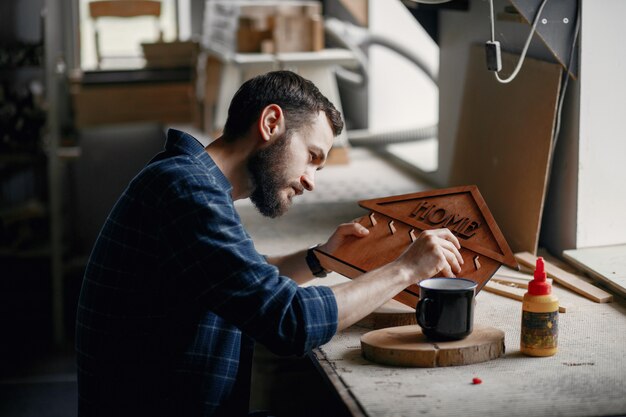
504	142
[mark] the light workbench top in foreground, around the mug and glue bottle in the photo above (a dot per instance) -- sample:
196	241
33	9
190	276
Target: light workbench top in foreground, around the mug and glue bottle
587	376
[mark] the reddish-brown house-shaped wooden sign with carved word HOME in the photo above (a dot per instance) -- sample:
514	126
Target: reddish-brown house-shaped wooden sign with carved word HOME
395	222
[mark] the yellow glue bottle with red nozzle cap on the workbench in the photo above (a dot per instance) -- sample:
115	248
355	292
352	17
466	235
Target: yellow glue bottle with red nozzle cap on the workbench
540	316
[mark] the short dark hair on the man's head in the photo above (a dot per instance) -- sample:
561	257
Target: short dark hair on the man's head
299	98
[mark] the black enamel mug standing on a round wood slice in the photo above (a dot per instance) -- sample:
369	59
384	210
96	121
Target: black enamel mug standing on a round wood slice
446	308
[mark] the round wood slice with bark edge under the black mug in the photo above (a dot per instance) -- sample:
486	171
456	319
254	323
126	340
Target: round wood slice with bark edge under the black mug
407	346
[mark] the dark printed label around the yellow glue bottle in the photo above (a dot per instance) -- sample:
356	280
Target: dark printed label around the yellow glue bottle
540	330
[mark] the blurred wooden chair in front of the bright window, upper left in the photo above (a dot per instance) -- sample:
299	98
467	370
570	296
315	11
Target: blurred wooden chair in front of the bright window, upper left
123	9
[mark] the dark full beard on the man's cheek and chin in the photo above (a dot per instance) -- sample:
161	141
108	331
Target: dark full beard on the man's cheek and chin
267	167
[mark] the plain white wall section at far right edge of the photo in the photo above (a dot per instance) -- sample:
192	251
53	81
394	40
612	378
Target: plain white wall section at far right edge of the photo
602	147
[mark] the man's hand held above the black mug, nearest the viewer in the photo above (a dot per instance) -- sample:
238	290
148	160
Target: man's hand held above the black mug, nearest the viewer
433	251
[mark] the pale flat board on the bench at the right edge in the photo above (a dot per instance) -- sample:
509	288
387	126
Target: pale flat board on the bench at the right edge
606	264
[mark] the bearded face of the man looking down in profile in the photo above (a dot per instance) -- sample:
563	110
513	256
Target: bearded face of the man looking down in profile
286	167
